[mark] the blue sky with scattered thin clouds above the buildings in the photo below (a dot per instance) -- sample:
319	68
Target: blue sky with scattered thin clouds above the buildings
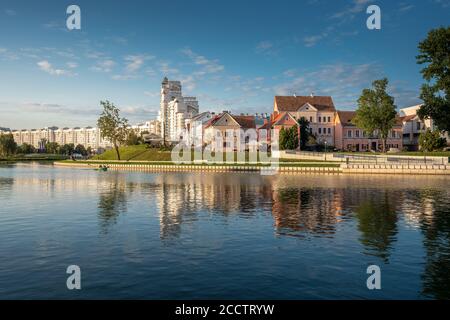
230	54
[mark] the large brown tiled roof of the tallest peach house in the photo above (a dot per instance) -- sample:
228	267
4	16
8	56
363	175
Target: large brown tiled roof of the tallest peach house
293	103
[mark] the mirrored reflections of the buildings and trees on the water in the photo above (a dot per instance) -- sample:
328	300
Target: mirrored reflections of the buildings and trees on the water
298	206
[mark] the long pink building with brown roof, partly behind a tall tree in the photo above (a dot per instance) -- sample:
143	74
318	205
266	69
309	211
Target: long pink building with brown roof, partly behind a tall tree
348	137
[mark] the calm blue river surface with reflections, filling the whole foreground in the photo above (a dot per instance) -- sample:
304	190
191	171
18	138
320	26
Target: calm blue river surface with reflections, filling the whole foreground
187	236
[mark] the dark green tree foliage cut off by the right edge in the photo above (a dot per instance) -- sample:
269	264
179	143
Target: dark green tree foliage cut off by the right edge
435	54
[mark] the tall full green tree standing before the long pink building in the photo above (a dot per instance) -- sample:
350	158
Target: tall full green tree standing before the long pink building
376	111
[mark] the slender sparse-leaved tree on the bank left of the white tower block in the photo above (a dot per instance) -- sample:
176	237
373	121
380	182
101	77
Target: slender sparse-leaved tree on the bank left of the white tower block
112	126
